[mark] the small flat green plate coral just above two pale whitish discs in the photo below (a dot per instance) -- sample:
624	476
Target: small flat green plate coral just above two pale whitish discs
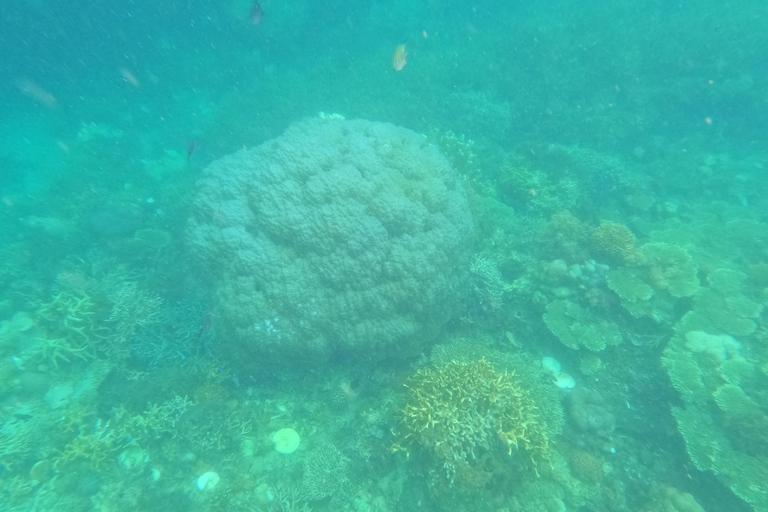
577	328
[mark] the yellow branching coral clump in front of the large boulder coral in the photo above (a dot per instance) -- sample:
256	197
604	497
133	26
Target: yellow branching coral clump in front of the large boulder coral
460	411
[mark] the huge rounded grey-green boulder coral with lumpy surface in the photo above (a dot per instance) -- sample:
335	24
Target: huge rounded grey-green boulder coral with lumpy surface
338	237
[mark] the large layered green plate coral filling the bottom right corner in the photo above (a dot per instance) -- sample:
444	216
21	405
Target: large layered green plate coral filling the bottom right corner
722	422
